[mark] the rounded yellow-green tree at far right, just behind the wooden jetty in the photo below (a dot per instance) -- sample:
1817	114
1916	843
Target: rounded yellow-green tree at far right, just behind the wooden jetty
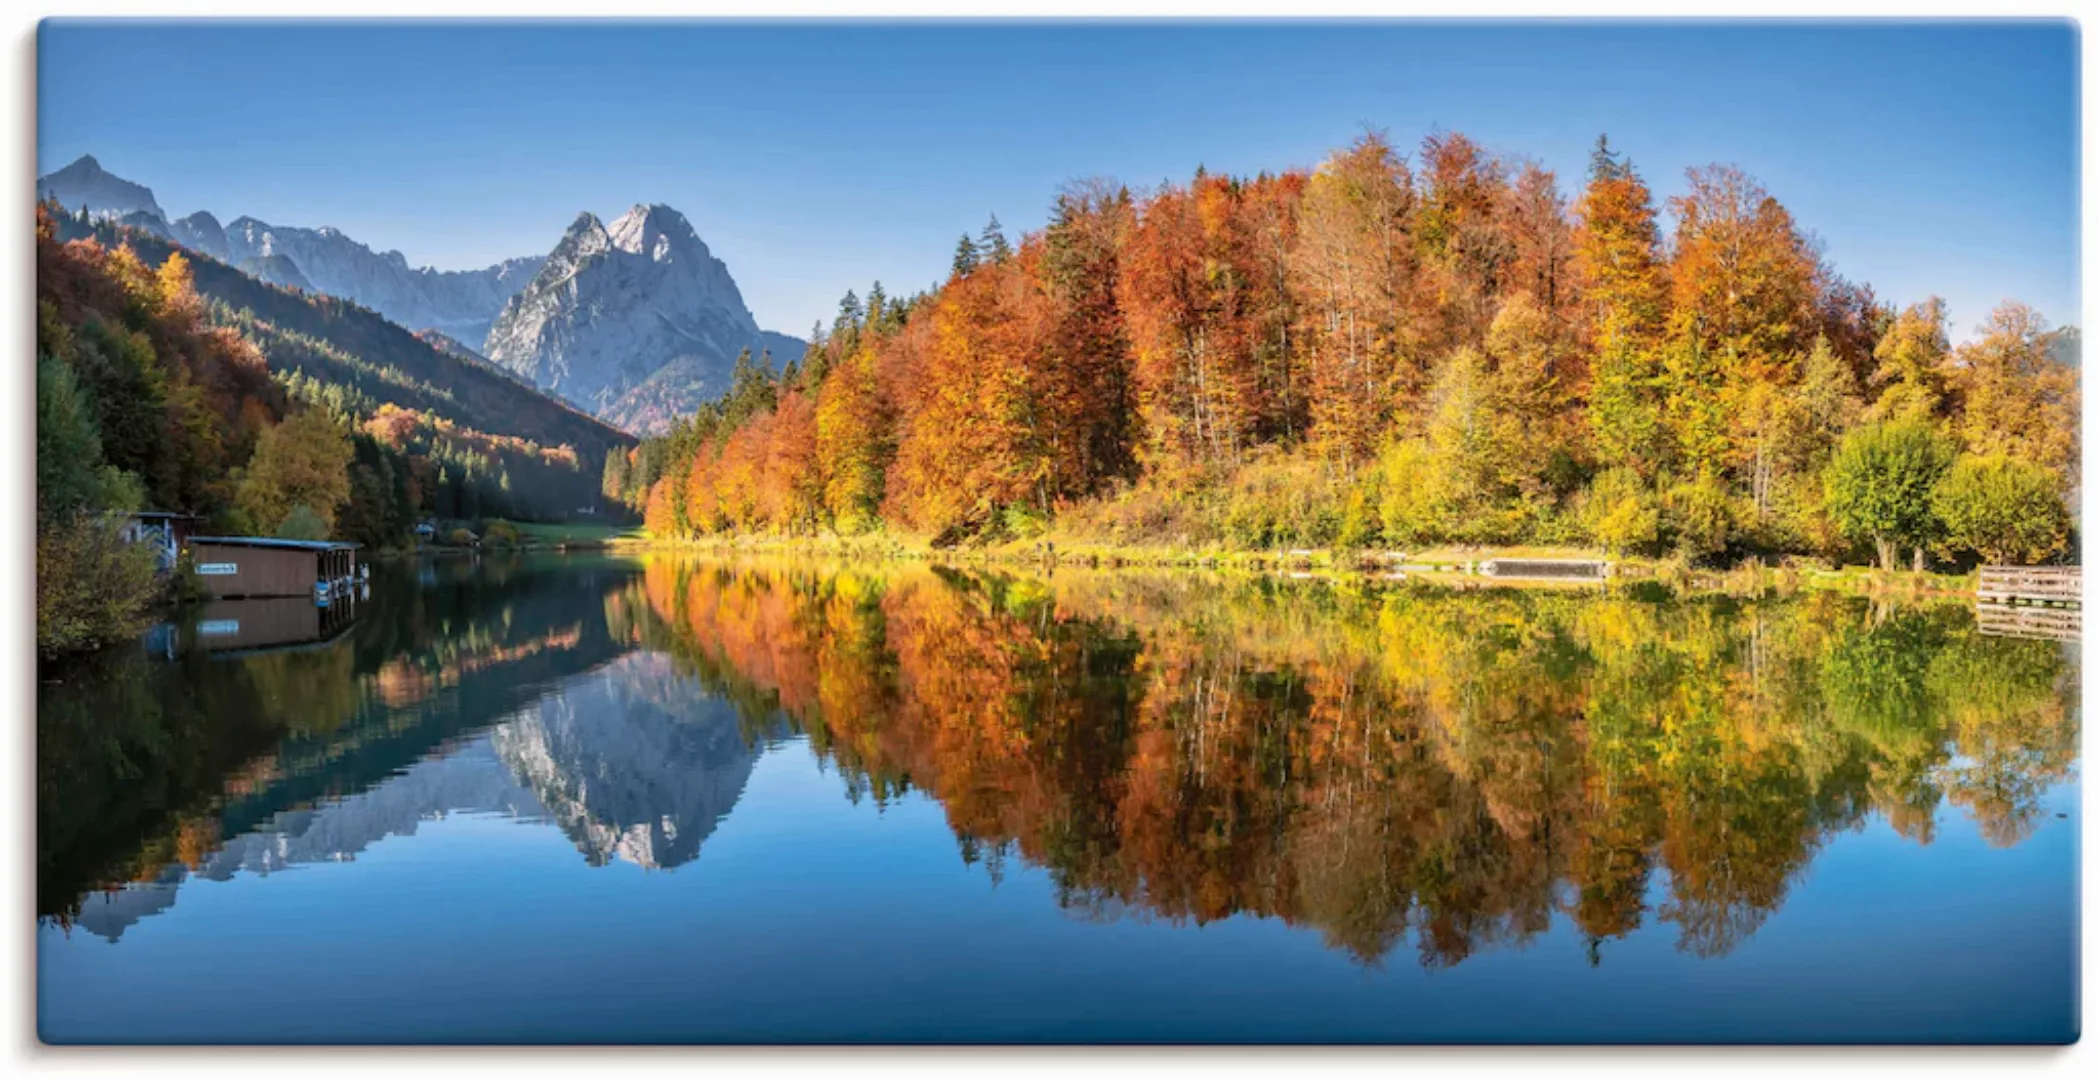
2003	509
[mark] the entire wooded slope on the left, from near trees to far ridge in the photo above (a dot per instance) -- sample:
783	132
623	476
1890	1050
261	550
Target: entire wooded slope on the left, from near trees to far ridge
173	383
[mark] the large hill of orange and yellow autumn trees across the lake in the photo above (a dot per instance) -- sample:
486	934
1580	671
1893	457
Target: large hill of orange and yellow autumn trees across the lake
1399	351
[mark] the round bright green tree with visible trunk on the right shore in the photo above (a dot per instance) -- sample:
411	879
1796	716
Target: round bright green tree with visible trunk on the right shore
1880	485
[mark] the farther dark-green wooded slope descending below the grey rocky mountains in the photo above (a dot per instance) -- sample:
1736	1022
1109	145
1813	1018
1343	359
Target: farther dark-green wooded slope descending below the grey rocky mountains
492	444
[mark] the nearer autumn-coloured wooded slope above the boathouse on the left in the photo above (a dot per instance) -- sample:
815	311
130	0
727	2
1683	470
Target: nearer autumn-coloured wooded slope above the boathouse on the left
144	406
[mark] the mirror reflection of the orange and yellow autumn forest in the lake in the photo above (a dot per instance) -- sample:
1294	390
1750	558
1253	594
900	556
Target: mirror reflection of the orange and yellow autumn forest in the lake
1384	762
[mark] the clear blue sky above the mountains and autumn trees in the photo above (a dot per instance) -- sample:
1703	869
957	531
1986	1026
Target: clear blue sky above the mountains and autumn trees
1932	158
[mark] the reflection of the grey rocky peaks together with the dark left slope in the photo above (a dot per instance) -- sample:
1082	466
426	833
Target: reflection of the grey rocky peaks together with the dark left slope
326	748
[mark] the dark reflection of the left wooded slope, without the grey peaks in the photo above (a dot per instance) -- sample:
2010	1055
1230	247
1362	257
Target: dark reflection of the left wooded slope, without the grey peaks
148	769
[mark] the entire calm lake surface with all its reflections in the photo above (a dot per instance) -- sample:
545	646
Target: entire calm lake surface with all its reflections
692	802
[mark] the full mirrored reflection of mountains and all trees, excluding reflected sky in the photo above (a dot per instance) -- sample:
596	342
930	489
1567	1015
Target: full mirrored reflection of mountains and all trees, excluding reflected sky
1382	764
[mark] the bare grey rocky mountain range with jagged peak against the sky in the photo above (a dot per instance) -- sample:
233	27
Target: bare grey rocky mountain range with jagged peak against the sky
637	324
